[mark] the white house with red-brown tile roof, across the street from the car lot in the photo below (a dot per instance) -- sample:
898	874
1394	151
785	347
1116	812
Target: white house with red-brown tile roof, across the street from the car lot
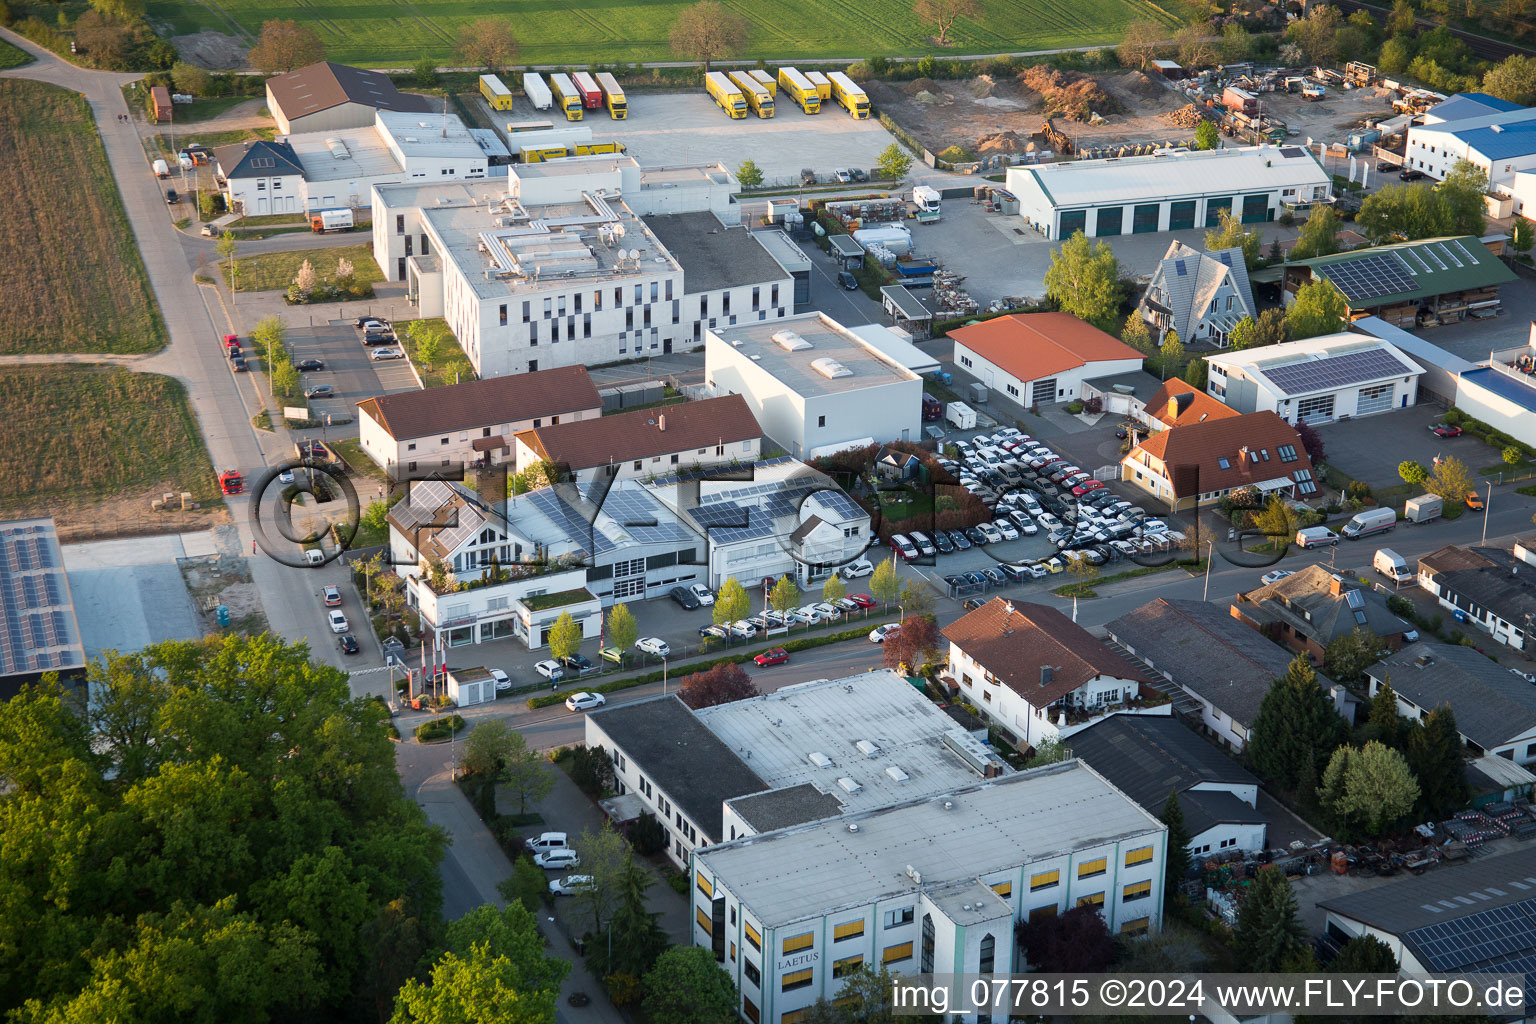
1038	675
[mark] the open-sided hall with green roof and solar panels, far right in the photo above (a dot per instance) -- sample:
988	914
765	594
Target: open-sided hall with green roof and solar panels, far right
1411	285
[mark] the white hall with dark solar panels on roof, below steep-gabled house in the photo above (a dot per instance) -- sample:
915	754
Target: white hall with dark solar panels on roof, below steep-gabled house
1319	380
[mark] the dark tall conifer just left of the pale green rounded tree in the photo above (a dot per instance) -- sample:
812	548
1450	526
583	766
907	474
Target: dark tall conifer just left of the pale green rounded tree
1296	724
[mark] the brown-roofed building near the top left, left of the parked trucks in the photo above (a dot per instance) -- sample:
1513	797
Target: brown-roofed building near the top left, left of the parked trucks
329	97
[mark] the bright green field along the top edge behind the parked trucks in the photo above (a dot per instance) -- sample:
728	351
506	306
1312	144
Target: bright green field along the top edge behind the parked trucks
581	35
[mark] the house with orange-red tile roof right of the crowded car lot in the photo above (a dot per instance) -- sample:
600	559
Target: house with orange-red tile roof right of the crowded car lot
1197	464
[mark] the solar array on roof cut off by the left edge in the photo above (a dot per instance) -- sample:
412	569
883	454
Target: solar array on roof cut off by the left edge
38	619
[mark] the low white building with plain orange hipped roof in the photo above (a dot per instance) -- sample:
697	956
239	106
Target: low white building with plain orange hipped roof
1041	358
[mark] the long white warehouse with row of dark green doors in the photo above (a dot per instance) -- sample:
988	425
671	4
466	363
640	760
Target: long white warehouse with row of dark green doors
1168	191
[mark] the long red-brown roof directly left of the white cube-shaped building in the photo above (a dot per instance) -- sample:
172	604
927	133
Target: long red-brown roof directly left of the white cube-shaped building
646	432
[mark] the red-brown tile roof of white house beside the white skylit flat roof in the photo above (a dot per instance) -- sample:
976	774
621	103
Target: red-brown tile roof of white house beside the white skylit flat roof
1016	641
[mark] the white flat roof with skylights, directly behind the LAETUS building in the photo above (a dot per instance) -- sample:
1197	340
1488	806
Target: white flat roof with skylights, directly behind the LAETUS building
899	728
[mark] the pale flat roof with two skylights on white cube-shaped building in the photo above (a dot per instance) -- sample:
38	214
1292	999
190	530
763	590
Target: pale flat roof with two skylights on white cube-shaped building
826	340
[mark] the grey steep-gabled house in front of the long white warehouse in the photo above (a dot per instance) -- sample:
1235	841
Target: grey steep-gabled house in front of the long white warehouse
1202	296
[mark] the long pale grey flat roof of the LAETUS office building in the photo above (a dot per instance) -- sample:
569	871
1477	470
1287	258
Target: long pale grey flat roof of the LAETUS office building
815	870
